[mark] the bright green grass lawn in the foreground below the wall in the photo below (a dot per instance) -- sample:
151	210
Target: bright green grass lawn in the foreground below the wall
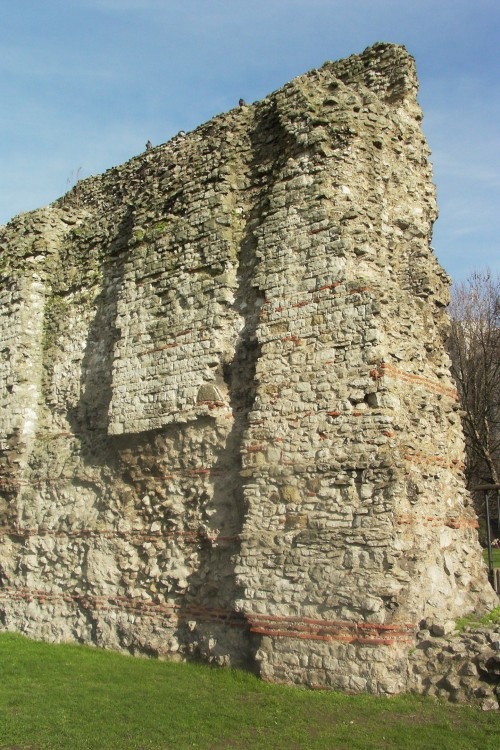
71	697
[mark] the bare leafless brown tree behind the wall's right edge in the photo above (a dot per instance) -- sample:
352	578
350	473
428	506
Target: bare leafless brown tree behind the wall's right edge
474	347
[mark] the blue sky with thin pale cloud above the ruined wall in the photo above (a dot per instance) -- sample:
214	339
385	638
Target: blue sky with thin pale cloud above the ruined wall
85	83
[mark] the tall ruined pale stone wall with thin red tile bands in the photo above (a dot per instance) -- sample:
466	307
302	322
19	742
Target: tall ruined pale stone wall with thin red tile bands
228	427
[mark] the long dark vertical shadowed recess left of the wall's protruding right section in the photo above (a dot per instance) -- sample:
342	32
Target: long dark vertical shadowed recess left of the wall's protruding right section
238	373
